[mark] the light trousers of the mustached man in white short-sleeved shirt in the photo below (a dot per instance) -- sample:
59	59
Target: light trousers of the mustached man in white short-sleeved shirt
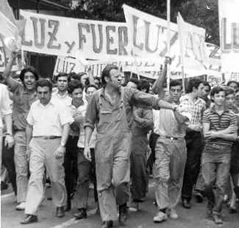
42	155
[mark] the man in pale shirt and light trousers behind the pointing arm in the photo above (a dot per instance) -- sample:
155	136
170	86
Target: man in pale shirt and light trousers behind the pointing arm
170	154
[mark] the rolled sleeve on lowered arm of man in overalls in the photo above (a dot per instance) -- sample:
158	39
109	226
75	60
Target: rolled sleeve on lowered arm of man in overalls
91	115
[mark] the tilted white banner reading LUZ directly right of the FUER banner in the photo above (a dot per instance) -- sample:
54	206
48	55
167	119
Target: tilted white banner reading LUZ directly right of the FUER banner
148	35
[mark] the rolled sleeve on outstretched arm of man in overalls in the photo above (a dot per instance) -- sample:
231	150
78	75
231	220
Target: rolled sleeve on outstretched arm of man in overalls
141	99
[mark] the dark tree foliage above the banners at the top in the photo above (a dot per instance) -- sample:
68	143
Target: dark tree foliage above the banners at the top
200	13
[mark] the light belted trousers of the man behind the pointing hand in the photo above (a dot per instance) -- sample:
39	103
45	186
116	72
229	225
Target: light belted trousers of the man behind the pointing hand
168	171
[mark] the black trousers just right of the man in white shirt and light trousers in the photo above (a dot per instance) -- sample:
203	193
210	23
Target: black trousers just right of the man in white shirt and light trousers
70	165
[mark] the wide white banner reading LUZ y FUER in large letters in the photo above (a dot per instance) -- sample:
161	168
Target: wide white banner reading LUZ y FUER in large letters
63	36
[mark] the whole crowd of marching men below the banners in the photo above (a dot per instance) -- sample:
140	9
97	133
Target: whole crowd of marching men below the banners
85	130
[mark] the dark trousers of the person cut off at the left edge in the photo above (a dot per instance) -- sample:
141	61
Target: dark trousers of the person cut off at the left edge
8	162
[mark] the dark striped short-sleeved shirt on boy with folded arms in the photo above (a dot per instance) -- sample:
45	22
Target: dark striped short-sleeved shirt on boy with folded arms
219	122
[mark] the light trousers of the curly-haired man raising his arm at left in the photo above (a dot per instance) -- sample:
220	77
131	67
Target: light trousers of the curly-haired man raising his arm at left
21	164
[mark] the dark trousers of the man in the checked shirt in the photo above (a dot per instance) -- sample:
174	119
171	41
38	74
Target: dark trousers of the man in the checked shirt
194	143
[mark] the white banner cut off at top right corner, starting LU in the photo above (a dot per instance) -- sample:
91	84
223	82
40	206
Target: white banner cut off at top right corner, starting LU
229	36
